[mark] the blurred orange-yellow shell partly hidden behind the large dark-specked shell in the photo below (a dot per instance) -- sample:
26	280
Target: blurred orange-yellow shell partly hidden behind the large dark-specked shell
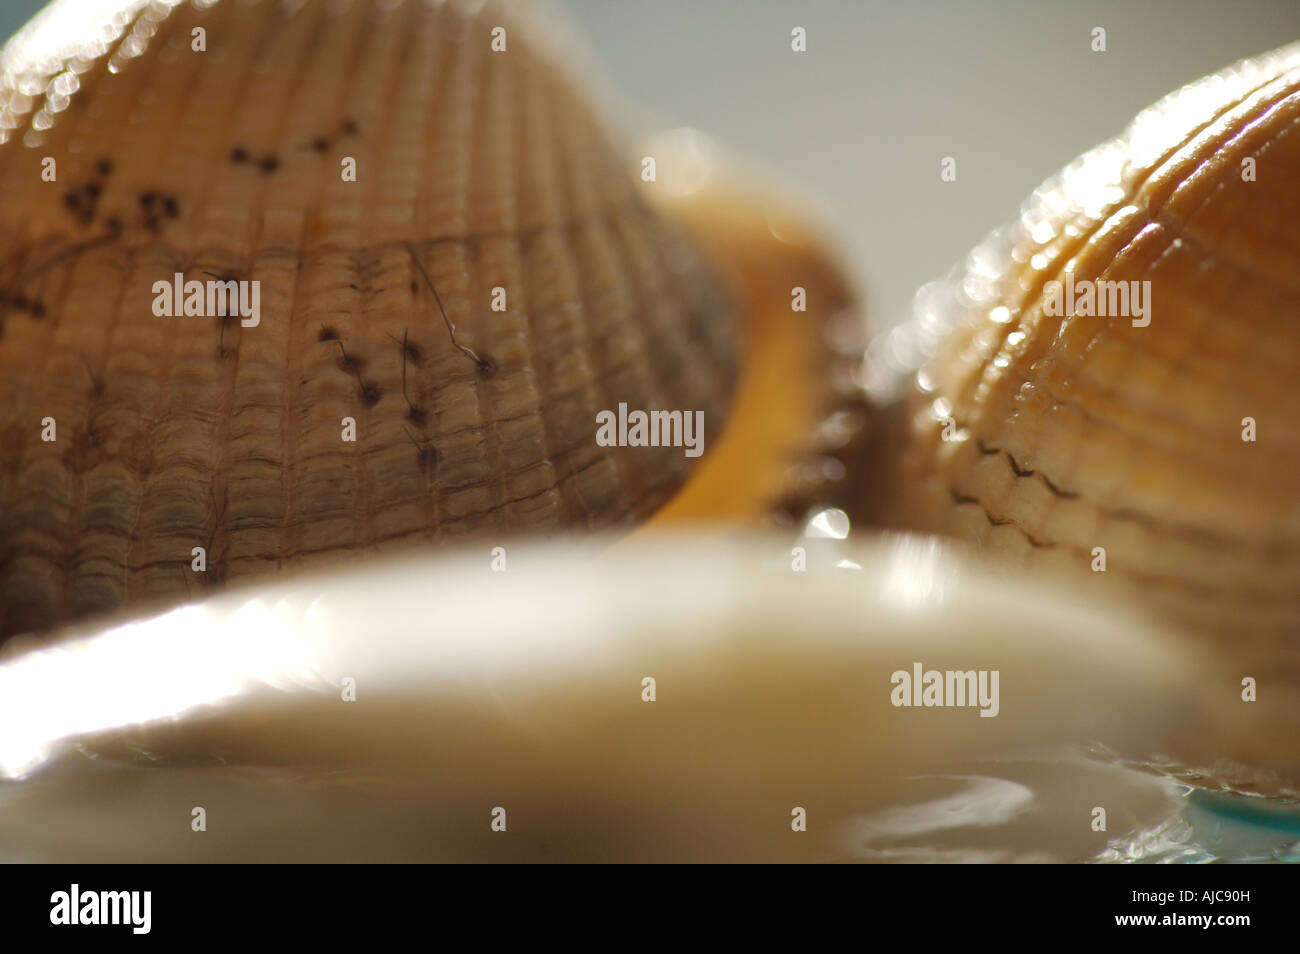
799	413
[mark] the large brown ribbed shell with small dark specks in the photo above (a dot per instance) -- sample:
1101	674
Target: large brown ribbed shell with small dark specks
476	170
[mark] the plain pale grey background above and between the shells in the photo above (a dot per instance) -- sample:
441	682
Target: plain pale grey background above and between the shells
1008	88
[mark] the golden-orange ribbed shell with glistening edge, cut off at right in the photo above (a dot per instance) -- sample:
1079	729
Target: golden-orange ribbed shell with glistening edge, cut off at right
1051	439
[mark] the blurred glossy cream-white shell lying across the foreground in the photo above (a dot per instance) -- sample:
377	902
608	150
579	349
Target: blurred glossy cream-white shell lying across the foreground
774	691
